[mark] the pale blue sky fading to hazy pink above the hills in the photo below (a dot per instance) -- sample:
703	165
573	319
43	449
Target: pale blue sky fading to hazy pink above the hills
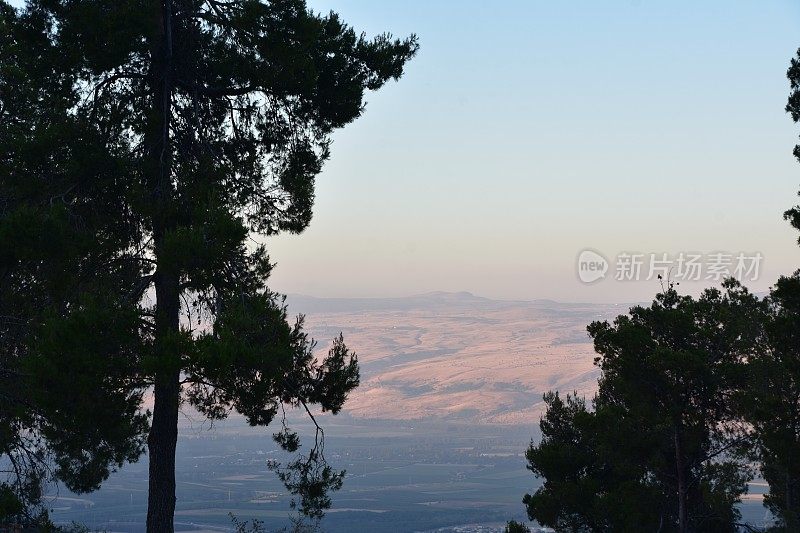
527	131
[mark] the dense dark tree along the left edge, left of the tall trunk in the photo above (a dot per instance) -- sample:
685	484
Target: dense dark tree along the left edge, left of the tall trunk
69	385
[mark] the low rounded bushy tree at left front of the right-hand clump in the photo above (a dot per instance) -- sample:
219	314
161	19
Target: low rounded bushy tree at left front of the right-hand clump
593	478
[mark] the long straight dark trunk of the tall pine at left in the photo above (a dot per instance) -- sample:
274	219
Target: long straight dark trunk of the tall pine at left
163	437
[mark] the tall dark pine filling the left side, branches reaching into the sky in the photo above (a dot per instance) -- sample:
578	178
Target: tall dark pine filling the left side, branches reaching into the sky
191	125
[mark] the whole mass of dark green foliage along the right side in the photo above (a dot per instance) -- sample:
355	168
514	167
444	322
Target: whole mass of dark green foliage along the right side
691	391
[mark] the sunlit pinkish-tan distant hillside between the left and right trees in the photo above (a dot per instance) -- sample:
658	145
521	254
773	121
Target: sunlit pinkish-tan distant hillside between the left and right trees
457	356
